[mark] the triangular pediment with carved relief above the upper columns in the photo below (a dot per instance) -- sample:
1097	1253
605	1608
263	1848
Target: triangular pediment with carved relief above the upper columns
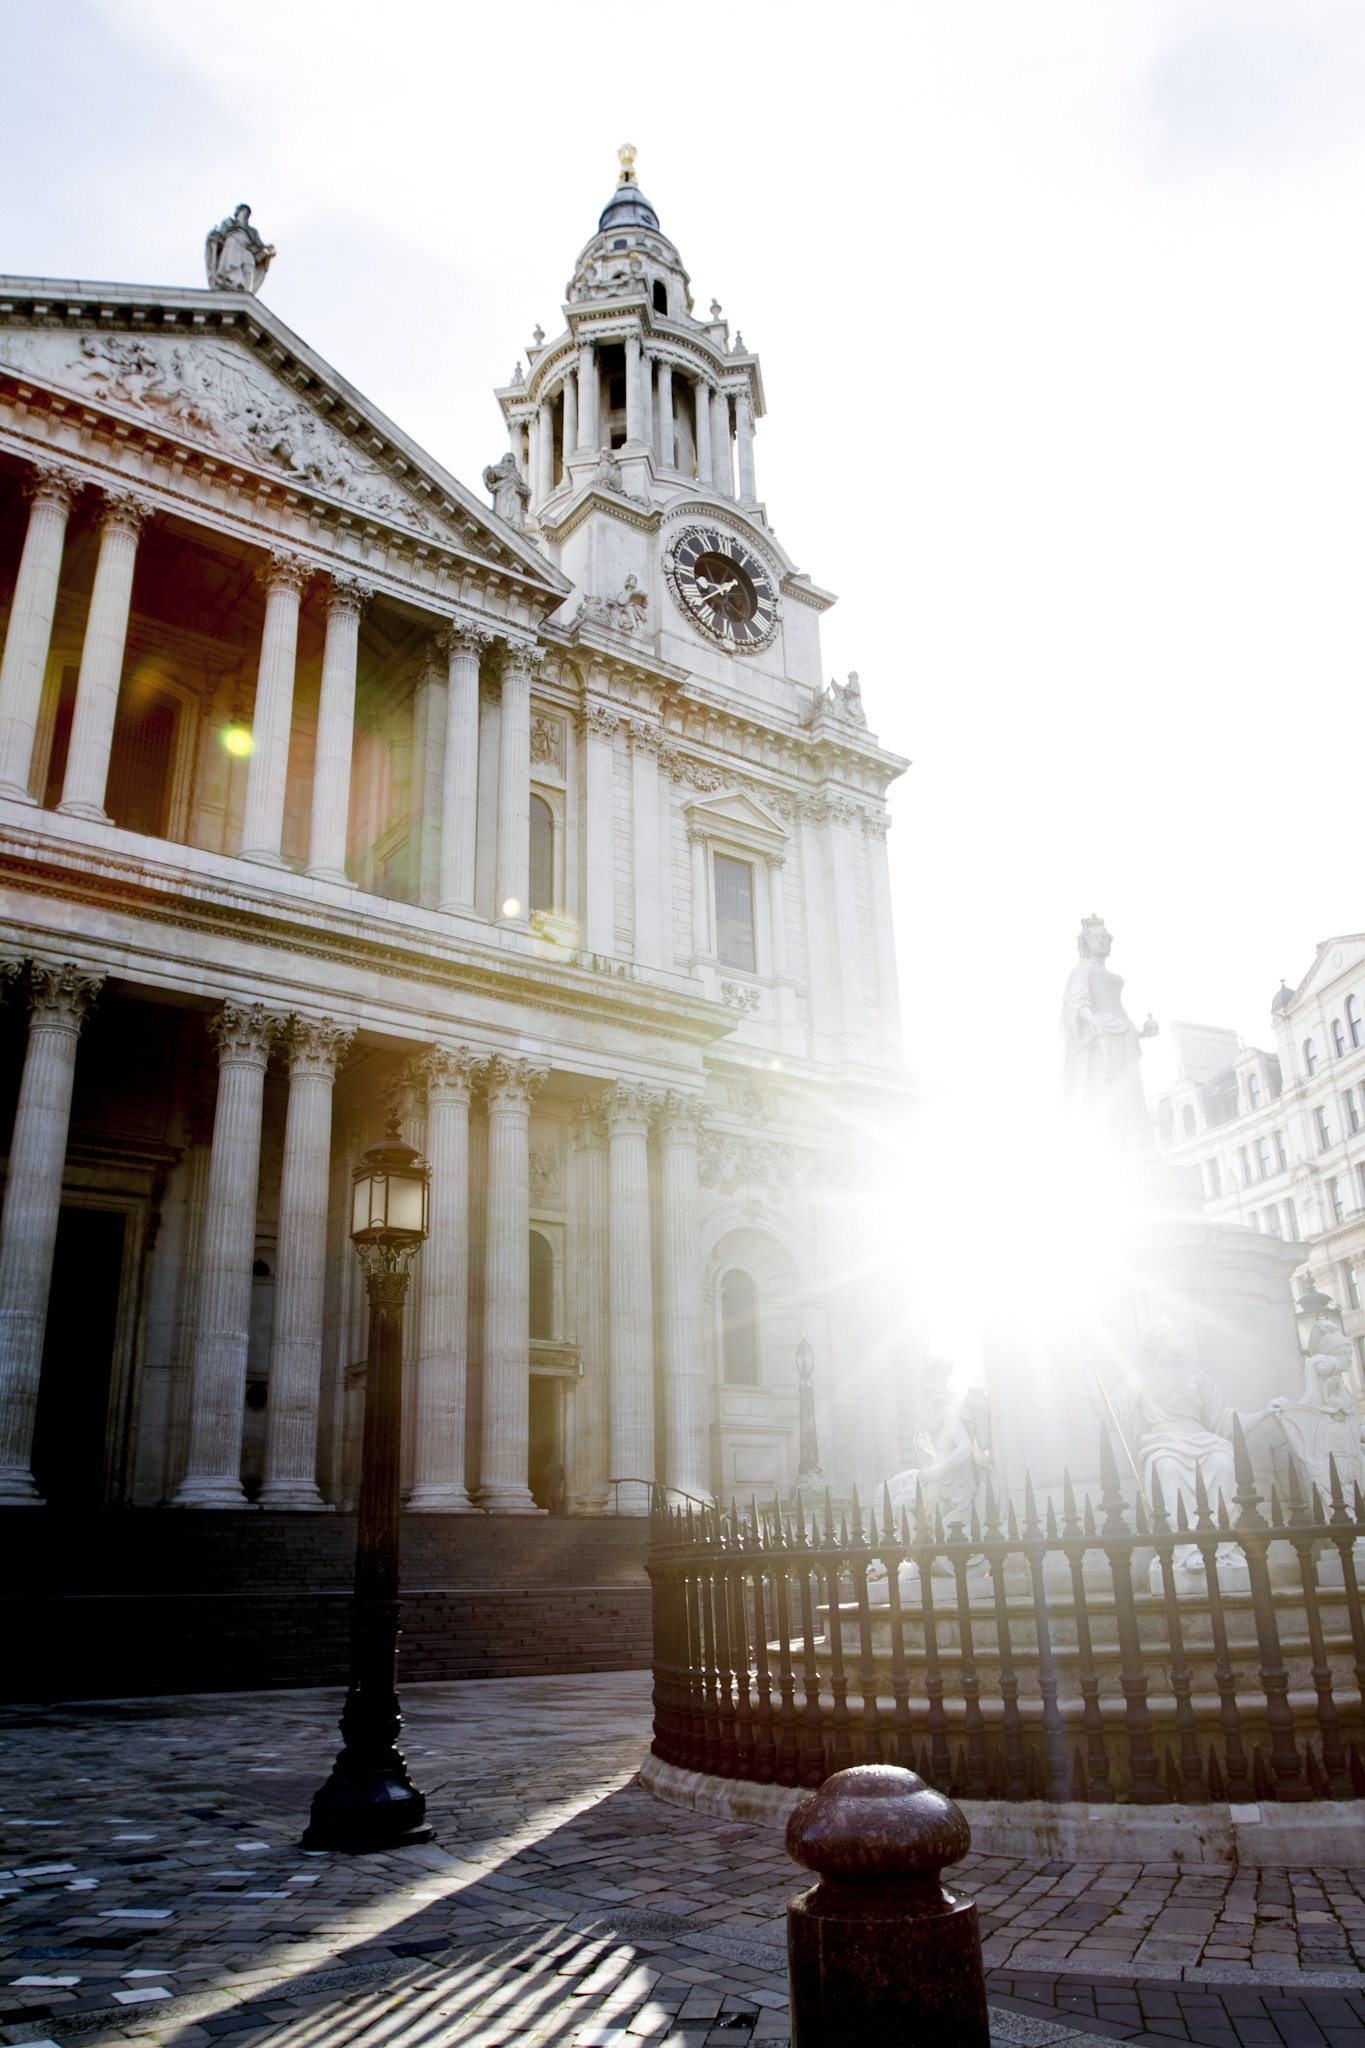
220	374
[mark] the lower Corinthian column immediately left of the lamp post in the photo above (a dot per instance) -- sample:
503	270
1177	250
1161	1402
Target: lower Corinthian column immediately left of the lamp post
316	1050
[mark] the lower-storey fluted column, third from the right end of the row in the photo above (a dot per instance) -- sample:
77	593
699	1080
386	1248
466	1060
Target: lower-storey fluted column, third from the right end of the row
507	1330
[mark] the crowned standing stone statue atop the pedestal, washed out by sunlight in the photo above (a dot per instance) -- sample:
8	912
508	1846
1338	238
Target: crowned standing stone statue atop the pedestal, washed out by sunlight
1104	1086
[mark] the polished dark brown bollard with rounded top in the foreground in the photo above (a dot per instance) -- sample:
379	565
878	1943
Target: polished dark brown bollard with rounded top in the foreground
879	1953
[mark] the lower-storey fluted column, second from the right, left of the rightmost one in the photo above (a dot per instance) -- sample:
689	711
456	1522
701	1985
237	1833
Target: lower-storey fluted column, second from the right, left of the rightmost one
631	1293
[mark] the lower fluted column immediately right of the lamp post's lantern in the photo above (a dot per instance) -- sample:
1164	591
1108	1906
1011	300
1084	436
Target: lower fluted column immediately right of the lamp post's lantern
439	1465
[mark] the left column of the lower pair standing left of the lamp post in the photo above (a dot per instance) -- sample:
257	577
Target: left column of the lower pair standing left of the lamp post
218	1390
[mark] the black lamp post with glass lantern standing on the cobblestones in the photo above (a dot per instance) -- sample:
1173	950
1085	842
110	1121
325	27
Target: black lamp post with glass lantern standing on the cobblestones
369	1801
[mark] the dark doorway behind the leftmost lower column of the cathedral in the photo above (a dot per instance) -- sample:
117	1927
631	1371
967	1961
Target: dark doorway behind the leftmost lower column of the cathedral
83	1314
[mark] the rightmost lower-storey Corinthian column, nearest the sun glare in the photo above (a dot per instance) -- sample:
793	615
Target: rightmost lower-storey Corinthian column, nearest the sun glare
687	1420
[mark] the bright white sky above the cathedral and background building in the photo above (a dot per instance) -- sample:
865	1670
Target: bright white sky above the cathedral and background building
1063	325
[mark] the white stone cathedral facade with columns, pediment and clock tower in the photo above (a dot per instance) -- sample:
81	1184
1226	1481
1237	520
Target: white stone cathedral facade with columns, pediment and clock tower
331	796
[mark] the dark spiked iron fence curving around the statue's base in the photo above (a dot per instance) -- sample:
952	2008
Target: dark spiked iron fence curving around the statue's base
1092	1656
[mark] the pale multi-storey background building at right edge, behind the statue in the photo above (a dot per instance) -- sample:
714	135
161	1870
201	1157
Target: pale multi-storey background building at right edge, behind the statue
1280	1136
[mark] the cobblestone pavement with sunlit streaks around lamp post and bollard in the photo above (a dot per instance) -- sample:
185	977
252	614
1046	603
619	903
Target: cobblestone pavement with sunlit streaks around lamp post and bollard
152	1891
